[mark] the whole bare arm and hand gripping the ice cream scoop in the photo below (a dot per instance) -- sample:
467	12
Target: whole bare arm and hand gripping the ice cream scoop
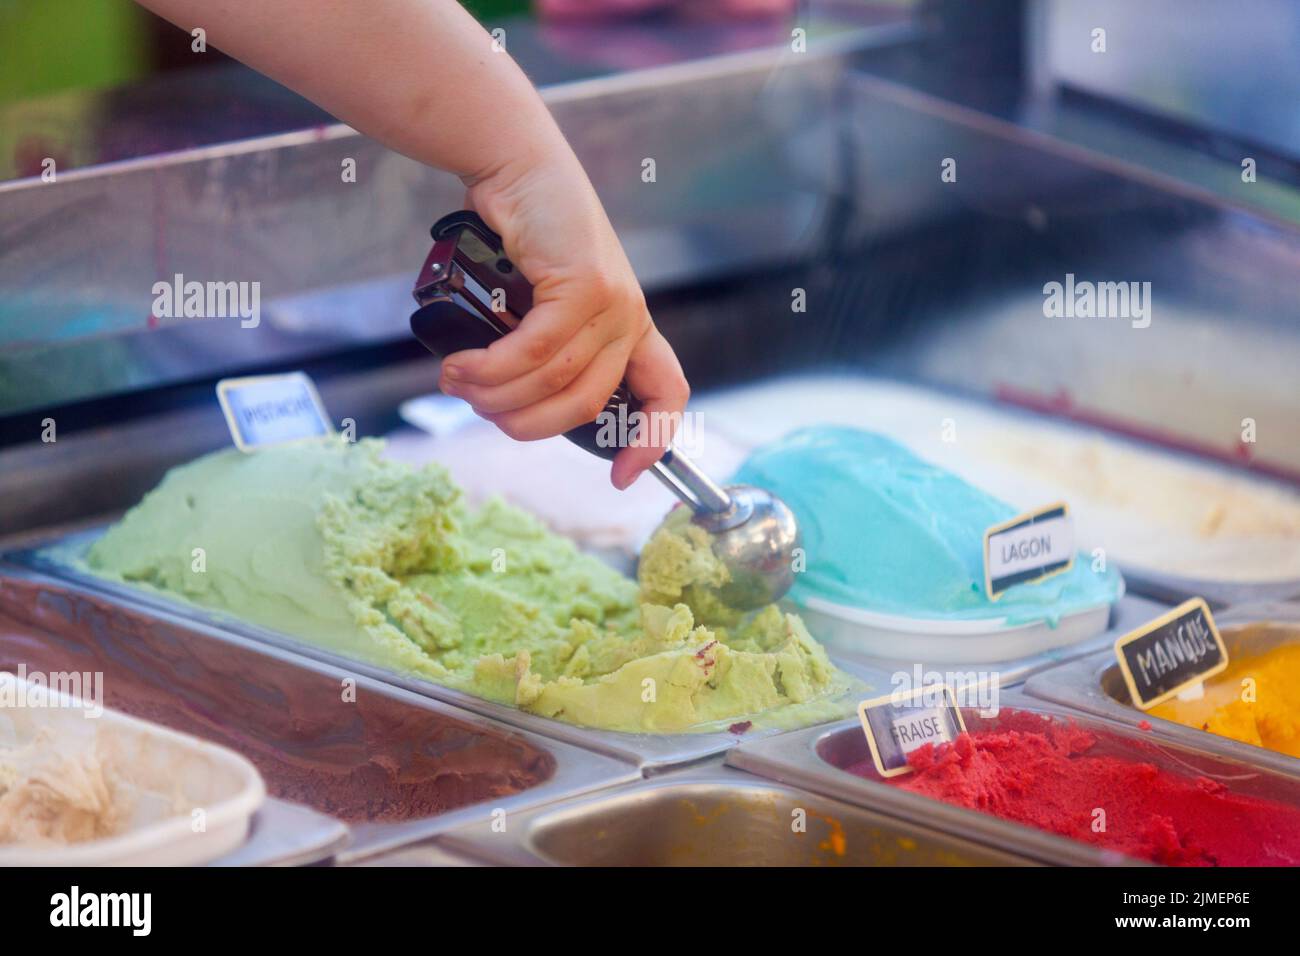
423	79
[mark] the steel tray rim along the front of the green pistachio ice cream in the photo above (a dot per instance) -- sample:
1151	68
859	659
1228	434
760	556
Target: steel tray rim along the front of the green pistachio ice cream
652	752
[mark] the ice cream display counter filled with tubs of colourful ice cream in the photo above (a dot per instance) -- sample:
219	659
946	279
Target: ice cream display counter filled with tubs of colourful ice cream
411	641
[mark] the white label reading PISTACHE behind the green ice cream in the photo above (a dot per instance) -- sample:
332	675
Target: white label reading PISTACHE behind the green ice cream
272	410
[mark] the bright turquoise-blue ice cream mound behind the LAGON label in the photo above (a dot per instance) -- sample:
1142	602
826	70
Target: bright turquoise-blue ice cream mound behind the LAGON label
889	533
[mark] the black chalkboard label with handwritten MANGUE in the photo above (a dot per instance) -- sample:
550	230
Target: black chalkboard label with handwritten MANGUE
1172	654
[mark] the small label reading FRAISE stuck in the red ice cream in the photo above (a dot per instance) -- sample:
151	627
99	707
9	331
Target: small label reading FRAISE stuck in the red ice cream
899	724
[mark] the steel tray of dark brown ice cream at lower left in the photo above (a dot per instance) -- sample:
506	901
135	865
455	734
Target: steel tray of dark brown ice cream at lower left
396	767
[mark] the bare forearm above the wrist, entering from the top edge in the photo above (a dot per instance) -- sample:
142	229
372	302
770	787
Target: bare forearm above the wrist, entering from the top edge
419	76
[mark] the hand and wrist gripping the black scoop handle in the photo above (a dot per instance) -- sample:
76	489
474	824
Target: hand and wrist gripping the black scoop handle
590	327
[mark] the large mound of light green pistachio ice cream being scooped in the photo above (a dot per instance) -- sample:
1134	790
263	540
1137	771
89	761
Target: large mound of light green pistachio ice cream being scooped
341	548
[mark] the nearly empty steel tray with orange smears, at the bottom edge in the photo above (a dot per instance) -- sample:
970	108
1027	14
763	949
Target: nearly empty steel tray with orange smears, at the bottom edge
712	816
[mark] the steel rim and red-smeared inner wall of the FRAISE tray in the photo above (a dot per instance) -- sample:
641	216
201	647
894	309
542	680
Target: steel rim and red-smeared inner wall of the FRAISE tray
814	758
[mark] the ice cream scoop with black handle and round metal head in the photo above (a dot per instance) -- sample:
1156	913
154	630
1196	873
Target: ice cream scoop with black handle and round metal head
471	295
